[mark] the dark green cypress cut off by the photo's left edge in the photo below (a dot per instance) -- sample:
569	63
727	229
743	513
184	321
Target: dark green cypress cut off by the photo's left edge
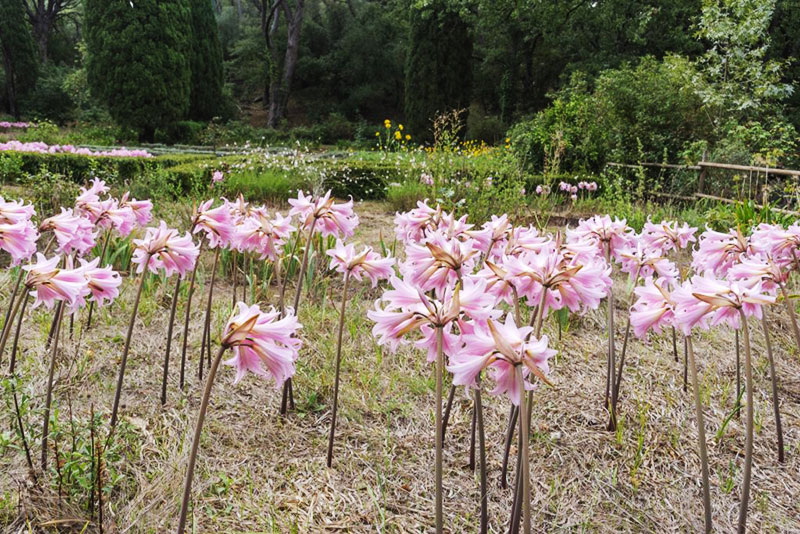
18	53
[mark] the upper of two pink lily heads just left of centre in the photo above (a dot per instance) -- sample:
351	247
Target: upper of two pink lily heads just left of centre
324	215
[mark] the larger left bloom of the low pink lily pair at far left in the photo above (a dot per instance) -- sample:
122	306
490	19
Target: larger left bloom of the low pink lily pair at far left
47	283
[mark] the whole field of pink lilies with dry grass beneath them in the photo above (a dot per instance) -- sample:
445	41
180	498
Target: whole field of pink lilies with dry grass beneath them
414	372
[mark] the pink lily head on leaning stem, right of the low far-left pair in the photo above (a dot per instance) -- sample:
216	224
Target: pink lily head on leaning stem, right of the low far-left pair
165	248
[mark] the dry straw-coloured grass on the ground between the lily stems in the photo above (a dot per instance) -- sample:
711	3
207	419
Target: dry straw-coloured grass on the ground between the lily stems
260	472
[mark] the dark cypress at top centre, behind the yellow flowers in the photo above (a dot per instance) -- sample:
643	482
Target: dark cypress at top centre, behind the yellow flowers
439	65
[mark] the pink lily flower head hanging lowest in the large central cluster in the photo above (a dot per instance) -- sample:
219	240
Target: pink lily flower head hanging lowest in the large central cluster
501	347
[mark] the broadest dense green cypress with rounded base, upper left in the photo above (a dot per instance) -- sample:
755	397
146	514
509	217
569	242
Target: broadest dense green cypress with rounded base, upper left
139	64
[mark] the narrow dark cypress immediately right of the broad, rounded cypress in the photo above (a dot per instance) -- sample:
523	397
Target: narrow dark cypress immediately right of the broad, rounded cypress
206	62
